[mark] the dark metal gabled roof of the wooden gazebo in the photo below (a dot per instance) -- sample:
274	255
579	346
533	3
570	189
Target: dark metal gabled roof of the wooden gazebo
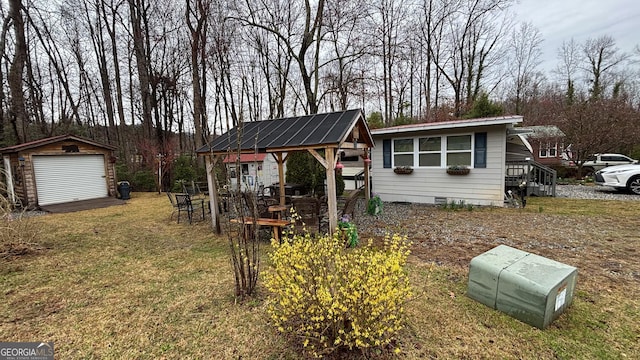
309	131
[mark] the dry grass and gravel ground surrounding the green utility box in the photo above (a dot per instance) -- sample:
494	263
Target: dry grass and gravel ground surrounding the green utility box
600	238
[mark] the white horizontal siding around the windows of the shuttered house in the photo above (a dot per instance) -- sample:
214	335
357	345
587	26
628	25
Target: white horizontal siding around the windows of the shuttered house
482	186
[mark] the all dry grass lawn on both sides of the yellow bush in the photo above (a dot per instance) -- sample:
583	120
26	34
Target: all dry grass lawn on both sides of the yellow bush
127	282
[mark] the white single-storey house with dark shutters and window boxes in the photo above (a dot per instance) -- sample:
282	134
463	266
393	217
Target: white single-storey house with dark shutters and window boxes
412	163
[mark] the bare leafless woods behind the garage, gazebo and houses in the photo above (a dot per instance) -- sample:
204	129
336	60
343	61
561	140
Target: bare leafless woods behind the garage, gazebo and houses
160	78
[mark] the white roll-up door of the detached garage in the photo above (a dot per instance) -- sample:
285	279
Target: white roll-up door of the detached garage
65	178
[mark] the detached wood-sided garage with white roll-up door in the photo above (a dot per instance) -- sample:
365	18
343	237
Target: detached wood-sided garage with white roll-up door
58	170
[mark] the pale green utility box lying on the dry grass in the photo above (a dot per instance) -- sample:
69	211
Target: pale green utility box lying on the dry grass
529	287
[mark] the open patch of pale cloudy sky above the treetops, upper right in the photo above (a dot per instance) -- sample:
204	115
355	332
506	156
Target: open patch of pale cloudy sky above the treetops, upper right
561	20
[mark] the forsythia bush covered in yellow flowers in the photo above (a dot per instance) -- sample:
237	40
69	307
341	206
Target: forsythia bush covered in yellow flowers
333	297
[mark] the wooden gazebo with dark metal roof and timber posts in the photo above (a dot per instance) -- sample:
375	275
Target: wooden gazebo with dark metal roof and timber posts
313	133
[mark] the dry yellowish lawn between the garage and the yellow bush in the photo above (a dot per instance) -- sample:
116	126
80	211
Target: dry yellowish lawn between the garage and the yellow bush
126	282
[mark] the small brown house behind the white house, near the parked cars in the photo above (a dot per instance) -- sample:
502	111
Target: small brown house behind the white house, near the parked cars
547	143
